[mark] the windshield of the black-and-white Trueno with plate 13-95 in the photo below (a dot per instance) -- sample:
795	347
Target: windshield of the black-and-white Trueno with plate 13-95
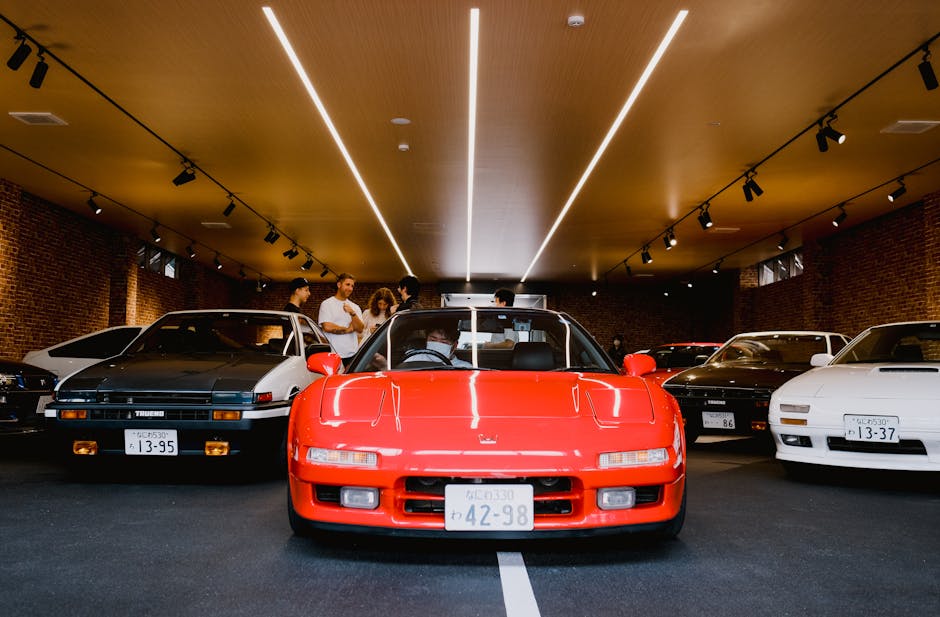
217	333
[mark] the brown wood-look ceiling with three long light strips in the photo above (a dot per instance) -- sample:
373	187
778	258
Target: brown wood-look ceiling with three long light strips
144	84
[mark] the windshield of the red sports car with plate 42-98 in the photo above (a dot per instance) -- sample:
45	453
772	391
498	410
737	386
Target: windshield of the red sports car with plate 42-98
481	338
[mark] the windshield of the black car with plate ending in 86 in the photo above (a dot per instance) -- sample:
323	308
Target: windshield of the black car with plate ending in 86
771	349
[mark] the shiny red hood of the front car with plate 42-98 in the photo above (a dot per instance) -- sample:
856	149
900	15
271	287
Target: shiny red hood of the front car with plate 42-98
483	394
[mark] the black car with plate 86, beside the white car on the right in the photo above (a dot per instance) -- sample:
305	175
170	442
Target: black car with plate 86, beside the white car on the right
730	393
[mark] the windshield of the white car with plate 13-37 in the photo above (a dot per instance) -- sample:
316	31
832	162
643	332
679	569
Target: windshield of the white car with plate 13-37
903	343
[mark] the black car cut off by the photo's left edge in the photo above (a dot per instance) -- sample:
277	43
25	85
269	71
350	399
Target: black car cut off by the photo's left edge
24	392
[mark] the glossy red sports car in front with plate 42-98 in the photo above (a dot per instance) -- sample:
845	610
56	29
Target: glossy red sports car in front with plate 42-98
439	427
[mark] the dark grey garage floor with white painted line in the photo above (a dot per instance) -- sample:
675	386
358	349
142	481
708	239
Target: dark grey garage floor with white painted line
188	540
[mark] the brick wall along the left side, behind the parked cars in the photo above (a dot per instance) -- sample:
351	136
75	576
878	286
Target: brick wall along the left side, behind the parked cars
47	295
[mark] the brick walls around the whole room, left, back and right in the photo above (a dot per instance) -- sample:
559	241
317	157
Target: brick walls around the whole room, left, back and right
884	270
